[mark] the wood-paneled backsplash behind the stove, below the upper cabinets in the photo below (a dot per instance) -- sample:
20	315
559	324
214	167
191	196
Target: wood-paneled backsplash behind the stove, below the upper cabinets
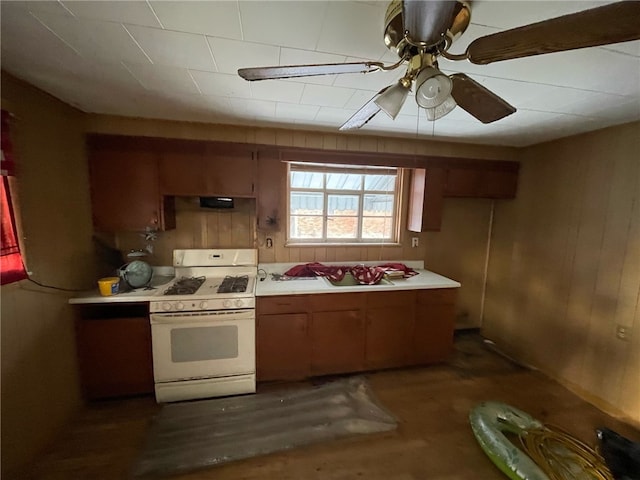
197	227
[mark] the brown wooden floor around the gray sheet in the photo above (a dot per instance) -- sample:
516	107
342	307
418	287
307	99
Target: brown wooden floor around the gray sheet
433	440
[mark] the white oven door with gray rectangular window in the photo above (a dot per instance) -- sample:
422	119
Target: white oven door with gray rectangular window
197	345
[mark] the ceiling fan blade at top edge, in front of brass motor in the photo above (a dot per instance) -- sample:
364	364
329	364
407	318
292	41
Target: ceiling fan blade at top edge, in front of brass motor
426	21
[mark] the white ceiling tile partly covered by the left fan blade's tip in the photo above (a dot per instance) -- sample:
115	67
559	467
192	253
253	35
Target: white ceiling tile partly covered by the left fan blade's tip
230	55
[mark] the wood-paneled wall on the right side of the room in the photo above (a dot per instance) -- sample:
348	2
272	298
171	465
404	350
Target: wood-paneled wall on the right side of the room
565	266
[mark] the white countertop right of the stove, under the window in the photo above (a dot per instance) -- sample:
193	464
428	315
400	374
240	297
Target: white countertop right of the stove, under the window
424	280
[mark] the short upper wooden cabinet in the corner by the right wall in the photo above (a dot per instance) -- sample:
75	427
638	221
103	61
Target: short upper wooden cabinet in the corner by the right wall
482	183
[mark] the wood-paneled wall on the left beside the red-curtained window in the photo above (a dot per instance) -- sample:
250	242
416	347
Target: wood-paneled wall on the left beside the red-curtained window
40	388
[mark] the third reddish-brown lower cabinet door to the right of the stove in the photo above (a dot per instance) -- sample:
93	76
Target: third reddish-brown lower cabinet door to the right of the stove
389	341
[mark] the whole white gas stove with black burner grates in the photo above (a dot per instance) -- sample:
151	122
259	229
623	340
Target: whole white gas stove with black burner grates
203	326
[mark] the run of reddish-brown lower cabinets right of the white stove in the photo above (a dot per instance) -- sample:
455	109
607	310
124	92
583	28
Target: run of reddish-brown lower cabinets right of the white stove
306	335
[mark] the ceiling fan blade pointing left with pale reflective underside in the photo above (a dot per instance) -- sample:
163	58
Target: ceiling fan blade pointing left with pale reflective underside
292	71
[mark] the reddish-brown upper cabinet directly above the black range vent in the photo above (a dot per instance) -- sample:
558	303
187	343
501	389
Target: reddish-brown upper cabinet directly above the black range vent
188	167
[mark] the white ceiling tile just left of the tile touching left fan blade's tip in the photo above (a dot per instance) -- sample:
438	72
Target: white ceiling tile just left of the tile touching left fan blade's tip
175	49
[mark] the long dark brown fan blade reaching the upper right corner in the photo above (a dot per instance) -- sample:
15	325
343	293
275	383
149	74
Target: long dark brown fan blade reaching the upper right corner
612	23
